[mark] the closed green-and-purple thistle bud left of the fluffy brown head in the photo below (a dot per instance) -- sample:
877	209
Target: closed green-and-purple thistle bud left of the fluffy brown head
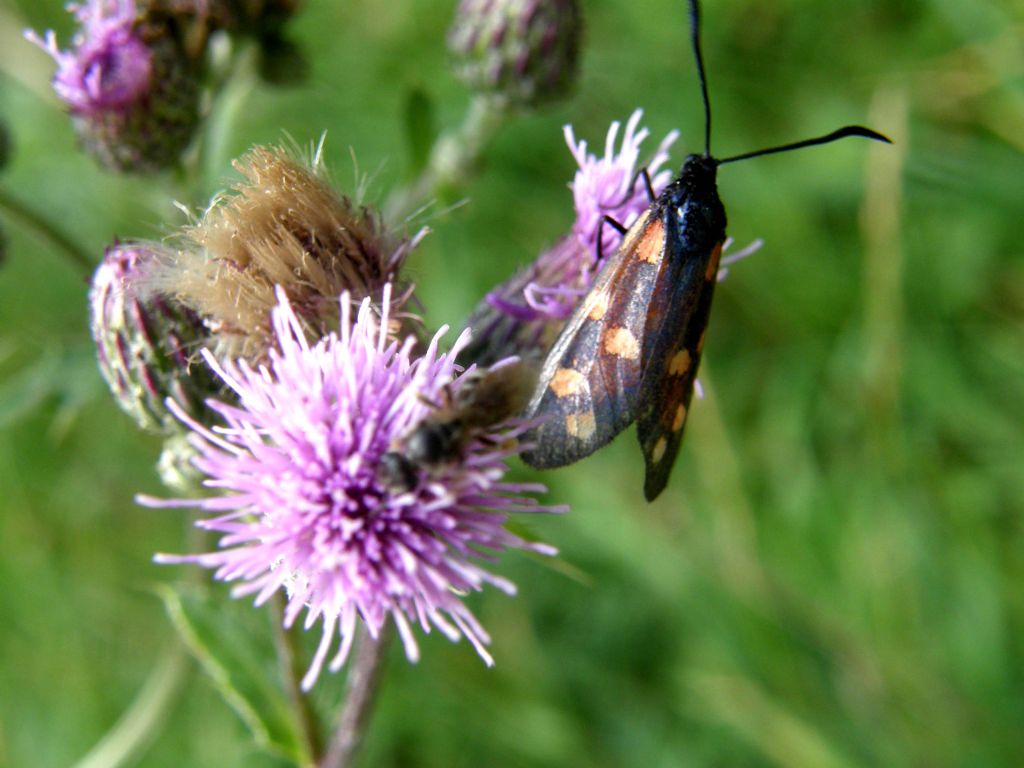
148	345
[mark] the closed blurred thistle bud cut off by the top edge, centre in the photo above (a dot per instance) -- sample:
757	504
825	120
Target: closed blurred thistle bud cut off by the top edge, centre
522	52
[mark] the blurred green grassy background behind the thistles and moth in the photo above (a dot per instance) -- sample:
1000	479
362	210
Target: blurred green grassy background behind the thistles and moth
836	575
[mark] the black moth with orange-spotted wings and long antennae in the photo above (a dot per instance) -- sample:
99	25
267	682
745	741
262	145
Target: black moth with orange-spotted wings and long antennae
631	350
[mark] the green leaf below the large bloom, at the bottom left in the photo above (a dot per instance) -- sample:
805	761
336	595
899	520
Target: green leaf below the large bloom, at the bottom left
233	644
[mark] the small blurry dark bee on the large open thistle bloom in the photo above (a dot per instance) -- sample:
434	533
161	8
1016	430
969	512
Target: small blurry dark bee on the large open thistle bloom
484	400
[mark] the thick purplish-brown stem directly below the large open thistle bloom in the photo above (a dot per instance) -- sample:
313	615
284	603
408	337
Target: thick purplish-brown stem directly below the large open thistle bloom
364	677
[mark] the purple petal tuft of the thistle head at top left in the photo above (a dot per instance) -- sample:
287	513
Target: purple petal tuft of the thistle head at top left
110	66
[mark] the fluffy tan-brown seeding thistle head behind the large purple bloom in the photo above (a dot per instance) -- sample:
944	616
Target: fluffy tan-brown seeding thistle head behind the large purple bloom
284	226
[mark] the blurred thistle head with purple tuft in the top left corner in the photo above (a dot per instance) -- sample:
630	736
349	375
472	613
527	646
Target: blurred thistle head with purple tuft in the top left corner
132	90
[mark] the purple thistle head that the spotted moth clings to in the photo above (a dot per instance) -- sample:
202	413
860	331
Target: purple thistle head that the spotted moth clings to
520	316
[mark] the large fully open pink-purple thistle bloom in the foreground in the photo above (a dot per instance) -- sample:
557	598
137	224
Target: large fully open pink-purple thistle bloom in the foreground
308	509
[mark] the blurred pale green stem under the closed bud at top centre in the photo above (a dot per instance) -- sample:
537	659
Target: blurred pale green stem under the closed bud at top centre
453	161
